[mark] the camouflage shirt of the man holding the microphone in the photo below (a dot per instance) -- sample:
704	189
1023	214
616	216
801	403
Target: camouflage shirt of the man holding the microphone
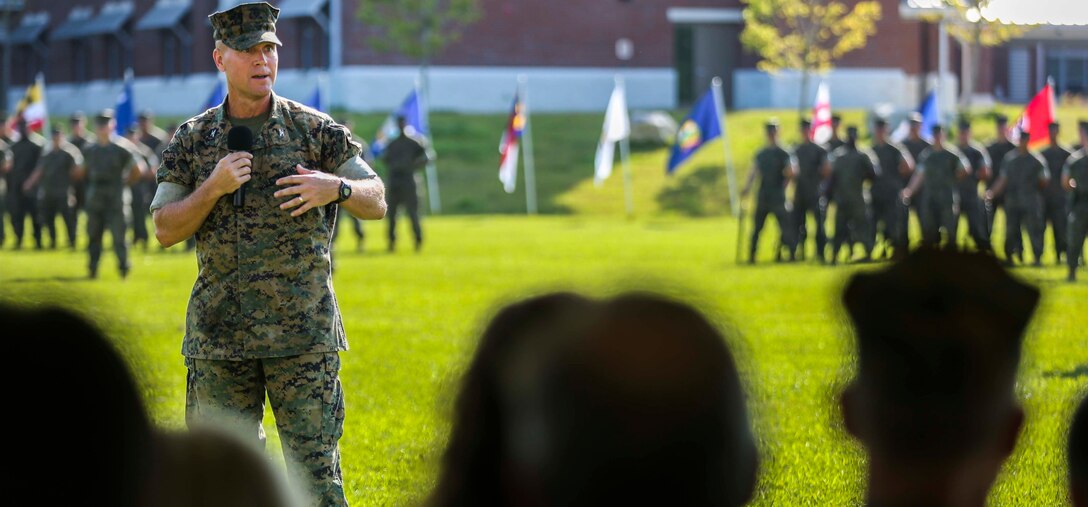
265	283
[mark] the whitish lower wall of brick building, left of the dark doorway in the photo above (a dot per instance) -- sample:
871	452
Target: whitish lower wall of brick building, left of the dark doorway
382	89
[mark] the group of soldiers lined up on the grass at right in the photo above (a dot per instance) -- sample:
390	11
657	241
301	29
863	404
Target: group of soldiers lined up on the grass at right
872	193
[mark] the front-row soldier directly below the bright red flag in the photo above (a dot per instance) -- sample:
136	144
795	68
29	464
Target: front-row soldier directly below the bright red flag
1023	179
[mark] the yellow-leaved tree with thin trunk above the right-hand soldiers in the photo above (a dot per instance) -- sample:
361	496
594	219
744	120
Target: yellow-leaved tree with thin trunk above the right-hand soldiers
807	35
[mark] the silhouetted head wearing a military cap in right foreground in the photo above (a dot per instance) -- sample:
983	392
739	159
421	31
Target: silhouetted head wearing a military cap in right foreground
939	340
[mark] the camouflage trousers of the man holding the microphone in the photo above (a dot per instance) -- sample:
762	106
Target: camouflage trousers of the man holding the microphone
307	400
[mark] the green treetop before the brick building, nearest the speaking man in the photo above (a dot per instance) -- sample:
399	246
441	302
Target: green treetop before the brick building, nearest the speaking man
421	30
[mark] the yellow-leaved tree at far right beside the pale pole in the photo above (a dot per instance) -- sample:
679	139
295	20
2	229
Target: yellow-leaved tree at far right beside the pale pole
974	31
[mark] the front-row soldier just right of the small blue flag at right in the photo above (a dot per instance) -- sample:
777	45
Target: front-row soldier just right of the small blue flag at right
941	169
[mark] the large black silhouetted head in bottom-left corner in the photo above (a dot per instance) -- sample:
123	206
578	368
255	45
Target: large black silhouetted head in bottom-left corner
79	412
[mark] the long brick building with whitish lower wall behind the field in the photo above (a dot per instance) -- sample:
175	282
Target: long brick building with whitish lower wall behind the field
567	50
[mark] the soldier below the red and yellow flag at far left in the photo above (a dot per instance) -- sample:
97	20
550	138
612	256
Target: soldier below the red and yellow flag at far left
23	206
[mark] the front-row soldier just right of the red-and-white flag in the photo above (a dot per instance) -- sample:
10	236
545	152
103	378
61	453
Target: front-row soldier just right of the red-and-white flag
850	169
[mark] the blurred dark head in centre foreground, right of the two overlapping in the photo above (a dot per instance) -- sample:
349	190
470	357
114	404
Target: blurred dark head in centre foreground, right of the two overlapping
647	409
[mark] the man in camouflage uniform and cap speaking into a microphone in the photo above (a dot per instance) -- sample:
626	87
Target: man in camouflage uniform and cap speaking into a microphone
263	318
